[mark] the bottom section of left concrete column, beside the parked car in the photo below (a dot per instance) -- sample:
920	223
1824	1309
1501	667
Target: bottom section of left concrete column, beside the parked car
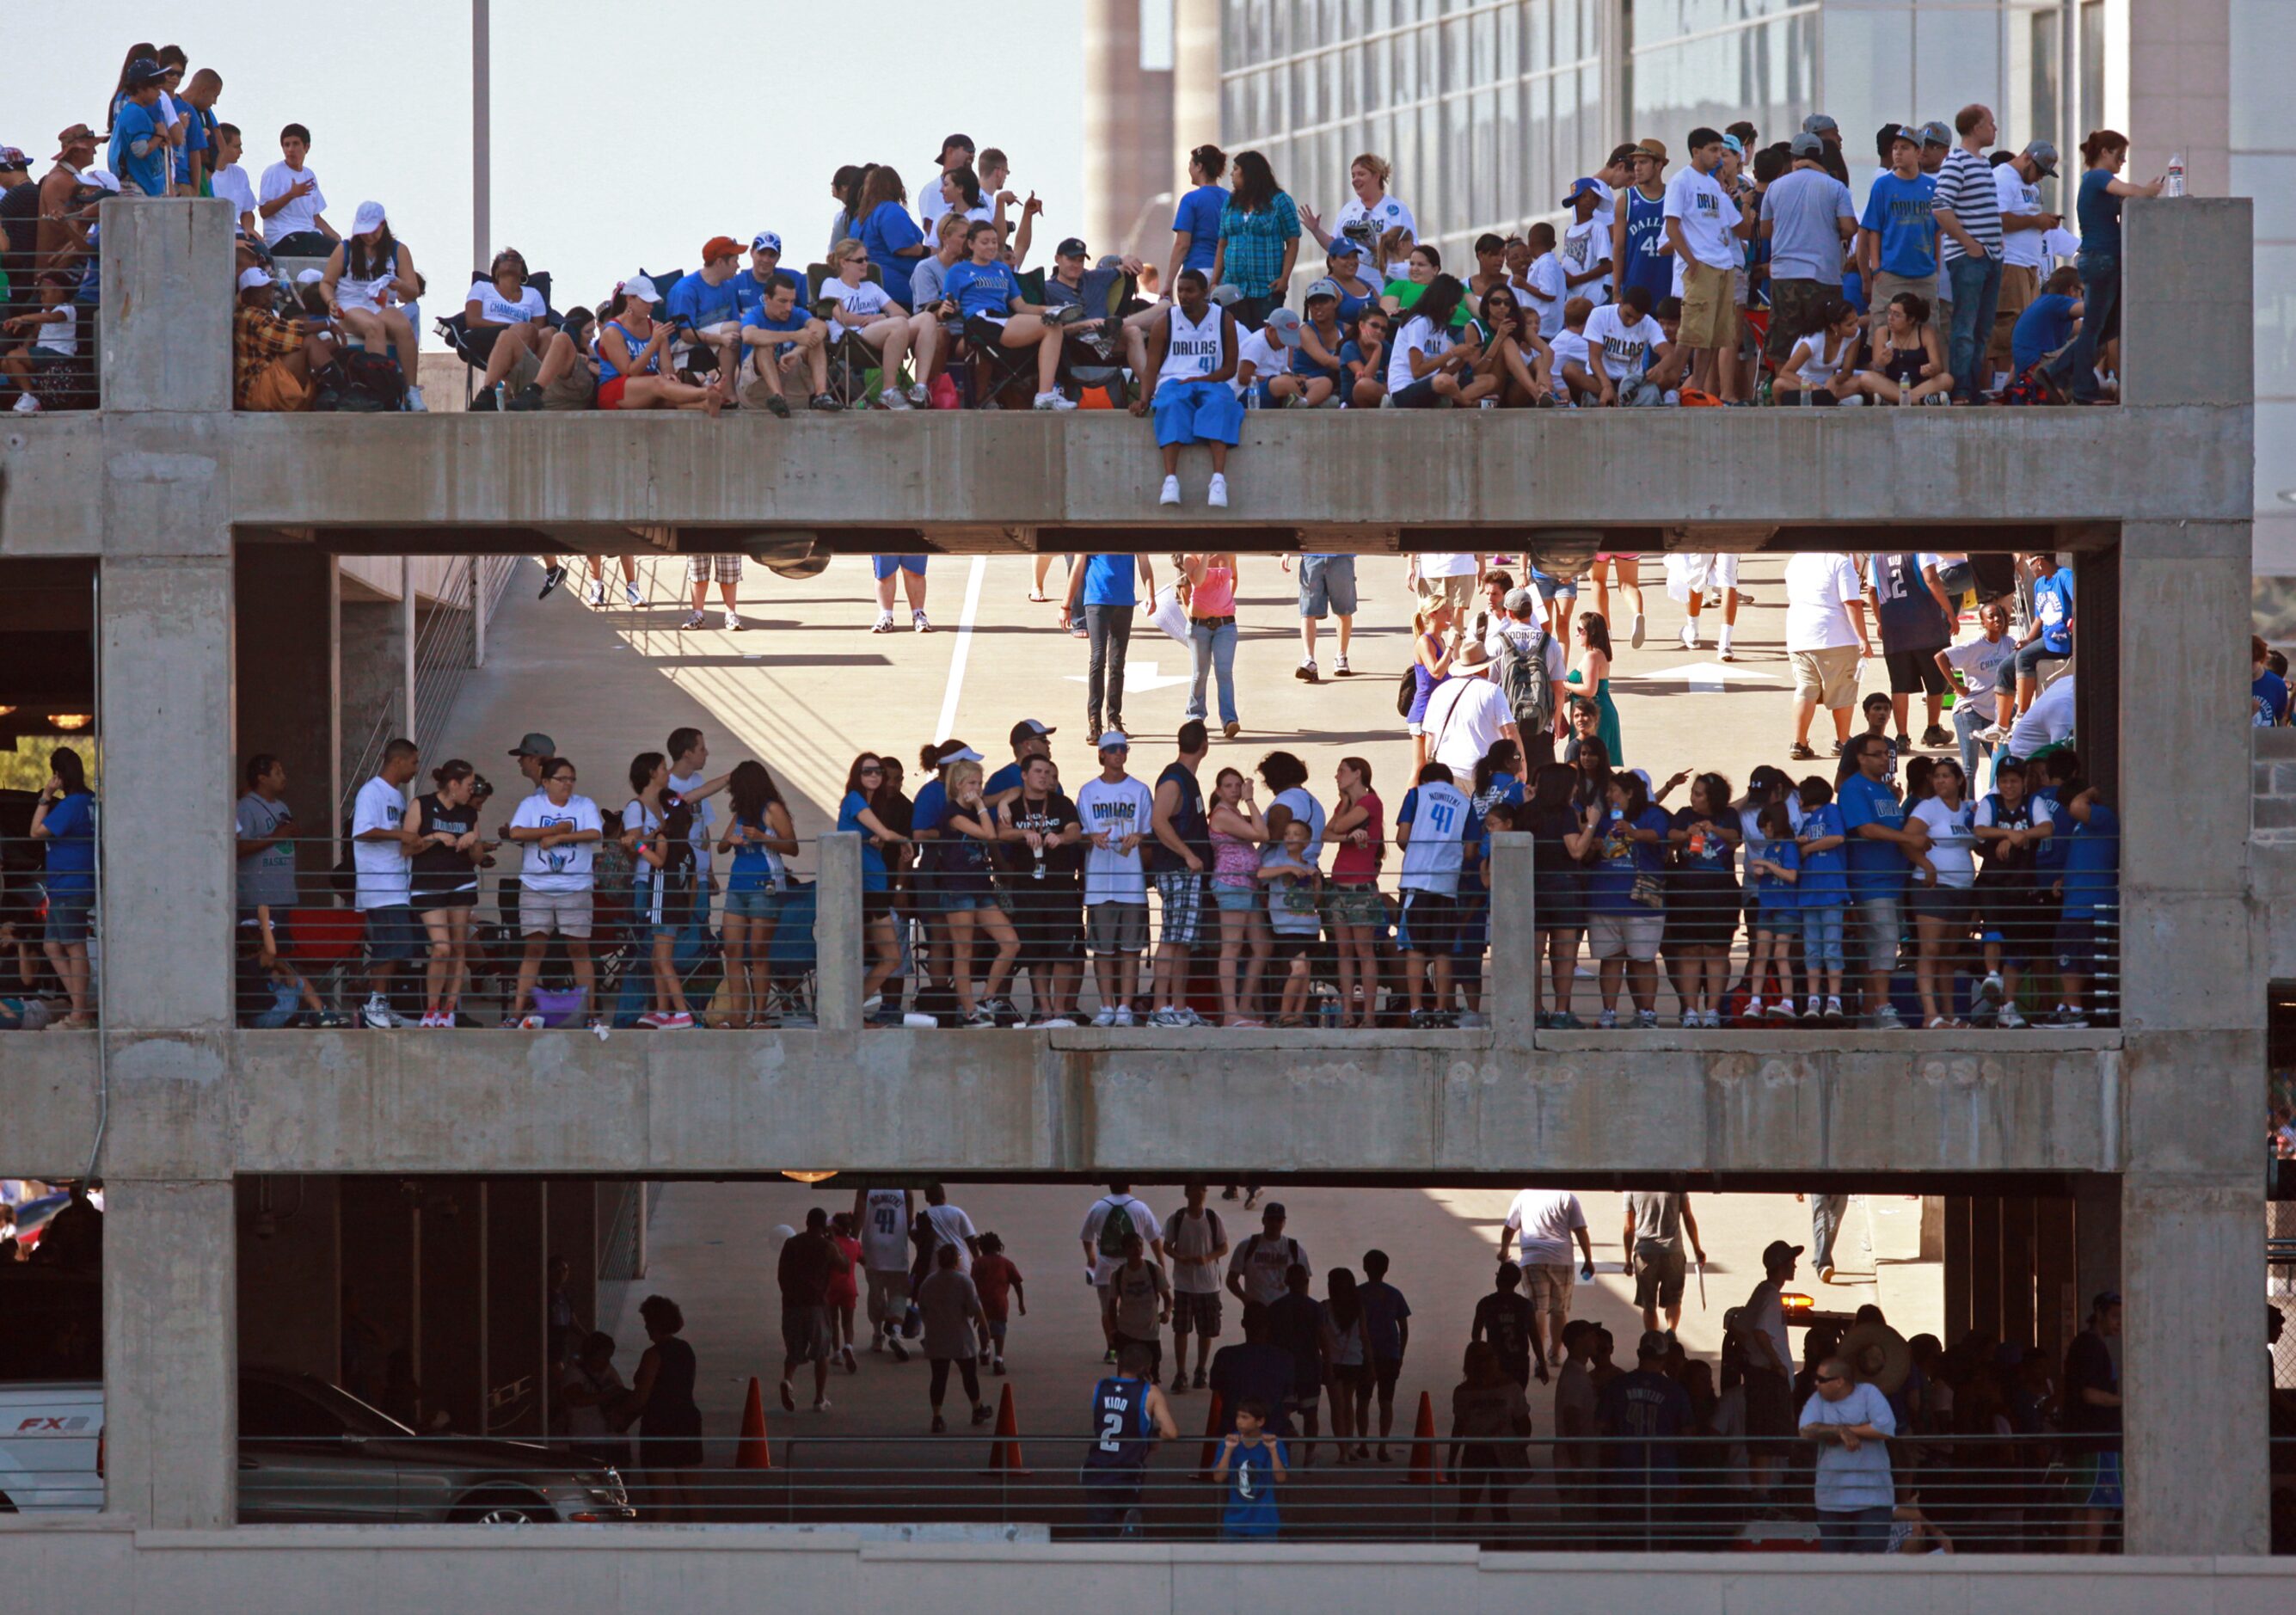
171	1396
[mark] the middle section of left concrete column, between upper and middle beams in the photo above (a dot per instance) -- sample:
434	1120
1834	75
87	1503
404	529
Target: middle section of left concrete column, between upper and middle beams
166	791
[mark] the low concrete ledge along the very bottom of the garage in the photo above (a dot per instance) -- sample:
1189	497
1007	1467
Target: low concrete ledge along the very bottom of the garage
717	1568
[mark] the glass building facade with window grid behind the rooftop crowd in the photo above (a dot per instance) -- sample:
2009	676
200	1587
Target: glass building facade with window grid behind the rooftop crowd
1489	109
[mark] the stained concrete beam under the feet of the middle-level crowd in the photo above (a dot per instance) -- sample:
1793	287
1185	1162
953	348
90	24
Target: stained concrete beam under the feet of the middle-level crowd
1411	1106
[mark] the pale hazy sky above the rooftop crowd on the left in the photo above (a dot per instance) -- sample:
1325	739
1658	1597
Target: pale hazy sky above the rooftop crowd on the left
591	185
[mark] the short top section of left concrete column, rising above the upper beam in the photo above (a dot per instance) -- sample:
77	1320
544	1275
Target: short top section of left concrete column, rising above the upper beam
166	304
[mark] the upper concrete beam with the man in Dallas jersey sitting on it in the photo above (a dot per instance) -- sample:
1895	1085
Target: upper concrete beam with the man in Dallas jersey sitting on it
1358	479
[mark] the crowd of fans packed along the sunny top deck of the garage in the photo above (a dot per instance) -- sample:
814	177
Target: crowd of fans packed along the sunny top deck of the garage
1732	272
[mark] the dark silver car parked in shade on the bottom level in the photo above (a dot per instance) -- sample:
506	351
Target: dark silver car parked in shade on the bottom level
313	1453
